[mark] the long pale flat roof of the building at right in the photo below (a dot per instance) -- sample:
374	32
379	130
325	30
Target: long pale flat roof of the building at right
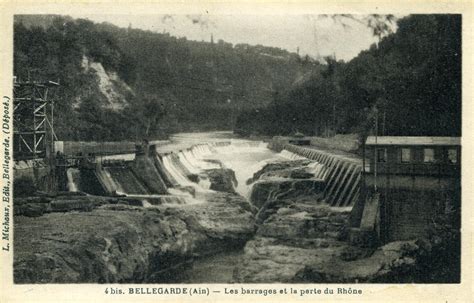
398	140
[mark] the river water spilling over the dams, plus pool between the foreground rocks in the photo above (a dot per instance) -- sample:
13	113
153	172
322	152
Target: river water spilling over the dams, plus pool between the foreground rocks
191	154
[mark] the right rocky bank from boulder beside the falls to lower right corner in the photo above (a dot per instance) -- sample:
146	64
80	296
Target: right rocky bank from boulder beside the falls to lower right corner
300	239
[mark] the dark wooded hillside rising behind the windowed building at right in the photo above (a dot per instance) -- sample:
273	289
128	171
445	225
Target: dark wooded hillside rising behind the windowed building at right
410	82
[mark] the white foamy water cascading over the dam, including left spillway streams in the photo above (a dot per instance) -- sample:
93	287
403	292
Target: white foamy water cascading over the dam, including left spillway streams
191	154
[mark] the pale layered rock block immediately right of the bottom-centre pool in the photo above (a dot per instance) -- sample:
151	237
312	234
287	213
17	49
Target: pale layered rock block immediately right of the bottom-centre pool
292	235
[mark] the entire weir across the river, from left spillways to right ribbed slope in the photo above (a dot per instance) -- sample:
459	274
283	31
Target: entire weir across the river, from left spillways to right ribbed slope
183	171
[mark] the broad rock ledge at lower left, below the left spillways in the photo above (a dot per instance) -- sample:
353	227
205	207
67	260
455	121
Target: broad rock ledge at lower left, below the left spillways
117	243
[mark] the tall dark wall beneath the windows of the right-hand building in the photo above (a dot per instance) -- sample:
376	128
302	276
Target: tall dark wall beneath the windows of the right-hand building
408	204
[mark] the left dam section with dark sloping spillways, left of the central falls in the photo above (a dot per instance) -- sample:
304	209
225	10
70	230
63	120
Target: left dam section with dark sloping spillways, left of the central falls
150	174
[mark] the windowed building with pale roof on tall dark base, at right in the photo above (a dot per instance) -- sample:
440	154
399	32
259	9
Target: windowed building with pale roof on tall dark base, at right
414	179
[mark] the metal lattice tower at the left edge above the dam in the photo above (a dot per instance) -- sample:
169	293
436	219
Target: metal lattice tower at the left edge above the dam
33	119
